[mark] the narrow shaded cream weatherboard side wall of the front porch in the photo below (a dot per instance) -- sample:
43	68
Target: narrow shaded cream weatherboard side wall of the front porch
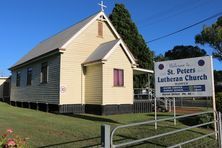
93	84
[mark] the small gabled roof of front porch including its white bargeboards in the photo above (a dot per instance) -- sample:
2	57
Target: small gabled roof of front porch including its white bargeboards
103	51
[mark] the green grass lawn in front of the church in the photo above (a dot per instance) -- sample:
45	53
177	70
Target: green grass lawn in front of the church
53	130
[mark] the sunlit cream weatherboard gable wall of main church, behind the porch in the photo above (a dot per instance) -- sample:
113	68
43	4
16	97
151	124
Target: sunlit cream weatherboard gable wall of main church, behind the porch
72	76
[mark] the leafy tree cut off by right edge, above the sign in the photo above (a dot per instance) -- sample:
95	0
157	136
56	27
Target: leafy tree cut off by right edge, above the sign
212	35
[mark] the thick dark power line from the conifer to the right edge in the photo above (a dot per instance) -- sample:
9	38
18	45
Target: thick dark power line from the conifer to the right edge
167	35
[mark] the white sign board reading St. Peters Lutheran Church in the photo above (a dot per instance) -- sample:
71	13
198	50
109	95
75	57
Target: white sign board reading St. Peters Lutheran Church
191	77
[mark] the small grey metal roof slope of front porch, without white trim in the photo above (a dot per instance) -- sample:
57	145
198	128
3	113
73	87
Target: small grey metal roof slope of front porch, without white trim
101	51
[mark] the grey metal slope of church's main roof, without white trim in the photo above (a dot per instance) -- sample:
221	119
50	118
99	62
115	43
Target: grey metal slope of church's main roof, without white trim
54	42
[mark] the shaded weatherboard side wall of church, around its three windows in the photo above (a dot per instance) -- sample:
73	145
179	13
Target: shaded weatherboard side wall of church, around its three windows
45	93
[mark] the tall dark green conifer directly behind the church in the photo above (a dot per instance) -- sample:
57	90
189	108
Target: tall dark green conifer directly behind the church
121	20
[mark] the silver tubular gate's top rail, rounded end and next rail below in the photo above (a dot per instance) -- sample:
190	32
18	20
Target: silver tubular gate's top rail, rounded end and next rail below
155	121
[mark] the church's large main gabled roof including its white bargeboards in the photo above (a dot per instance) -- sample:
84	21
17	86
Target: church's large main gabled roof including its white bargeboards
62	39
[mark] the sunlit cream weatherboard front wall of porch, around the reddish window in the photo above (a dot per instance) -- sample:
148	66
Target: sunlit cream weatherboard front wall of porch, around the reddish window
111	93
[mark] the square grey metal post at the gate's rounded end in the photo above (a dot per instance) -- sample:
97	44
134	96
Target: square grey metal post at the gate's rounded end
105	136
